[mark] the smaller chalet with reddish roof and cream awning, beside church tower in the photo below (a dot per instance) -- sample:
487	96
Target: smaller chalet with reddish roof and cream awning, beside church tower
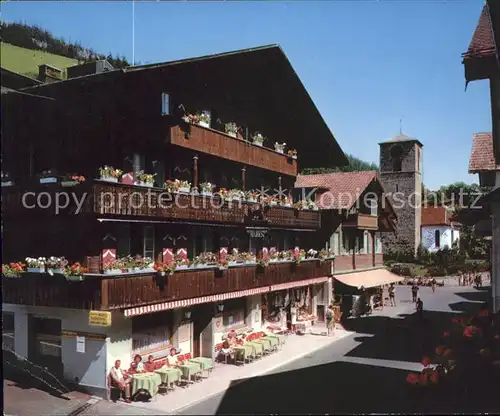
356	211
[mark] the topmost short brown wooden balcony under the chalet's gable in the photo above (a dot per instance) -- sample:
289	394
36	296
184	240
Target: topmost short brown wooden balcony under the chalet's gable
219	144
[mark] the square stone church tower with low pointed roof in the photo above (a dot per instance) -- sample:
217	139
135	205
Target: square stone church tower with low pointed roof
401	175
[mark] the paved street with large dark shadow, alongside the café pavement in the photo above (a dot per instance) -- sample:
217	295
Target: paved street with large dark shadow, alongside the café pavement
364	373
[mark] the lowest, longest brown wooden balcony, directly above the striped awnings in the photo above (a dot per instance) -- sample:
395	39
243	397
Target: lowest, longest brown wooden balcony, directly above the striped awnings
116	292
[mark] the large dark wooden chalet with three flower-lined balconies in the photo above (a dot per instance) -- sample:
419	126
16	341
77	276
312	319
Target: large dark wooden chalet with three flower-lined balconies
242	248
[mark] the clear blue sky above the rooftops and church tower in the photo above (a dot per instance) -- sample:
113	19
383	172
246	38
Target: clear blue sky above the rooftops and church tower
365	64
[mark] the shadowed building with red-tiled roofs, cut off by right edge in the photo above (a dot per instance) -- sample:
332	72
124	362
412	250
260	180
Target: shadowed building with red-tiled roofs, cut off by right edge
482	62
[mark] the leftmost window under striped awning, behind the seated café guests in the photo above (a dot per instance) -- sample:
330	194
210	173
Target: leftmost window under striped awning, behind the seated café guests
151	331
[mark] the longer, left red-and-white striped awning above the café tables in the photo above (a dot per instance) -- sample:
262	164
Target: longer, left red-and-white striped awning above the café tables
185	303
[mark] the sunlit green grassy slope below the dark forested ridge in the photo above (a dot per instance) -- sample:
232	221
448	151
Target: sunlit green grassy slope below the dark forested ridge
26	61
